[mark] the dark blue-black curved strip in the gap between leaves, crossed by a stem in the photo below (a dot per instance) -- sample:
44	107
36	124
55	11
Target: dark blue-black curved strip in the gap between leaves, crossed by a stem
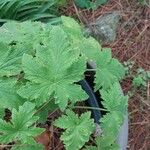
92	101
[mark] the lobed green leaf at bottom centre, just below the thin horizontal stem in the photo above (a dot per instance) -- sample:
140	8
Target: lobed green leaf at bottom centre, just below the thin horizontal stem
78	129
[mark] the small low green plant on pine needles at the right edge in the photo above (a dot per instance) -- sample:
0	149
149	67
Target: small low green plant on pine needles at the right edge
141	78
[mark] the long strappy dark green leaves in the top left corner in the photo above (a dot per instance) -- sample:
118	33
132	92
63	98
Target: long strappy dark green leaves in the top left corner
21	10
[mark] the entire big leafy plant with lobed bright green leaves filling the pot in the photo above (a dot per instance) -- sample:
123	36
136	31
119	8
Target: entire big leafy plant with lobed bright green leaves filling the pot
40	66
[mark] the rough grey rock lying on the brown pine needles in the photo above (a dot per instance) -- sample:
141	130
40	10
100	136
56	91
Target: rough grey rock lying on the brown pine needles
104	28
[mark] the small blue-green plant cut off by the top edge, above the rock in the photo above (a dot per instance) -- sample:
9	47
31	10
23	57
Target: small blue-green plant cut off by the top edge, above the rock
89	4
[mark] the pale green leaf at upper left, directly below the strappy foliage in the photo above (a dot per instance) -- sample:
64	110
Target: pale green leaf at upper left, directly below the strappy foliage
20	32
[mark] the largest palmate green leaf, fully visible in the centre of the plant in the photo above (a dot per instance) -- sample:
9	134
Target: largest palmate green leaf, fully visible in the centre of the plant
54	70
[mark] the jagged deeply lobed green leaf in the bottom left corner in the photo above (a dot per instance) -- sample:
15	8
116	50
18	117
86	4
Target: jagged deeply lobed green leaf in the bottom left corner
20	128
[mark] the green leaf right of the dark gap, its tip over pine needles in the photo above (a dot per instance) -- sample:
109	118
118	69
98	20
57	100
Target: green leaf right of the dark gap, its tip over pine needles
108	70
